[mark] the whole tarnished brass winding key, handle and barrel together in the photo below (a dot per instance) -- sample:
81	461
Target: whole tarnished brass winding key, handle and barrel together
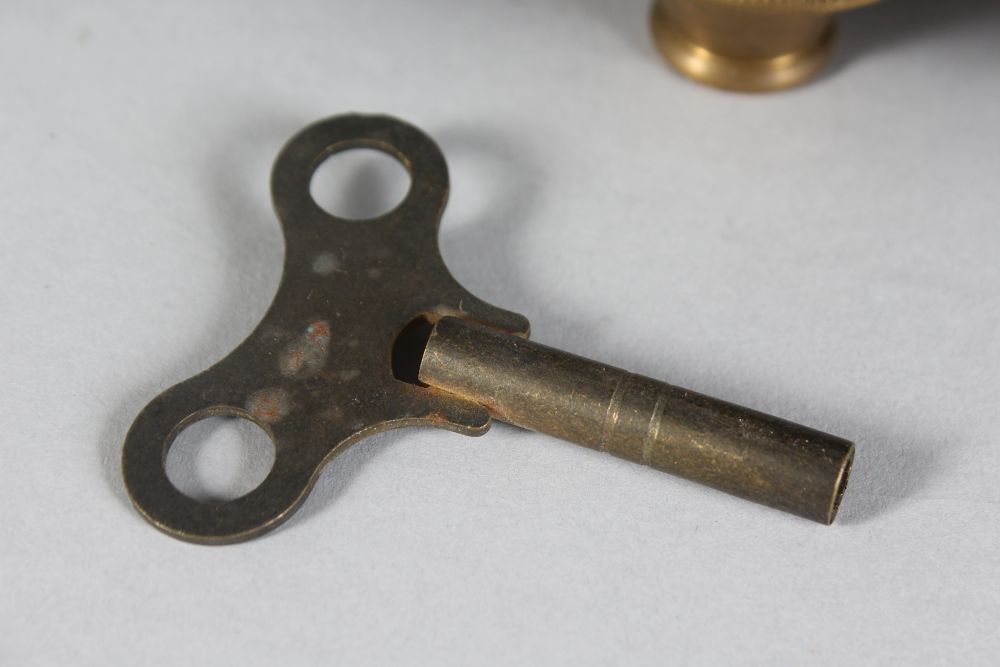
369	331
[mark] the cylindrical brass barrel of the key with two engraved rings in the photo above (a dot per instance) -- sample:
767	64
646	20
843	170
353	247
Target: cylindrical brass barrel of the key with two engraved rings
734	449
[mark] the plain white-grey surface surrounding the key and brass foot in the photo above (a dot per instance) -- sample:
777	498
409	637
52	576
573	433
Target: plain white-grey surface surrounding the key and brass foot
830	255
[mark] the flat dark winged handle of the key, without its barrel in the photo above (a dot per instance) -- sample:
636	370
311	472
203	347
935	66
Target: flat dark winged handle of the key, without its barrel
316	373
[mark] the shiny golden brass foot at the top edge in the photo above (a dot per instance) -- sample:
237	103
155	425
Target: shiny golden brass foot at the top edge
748	45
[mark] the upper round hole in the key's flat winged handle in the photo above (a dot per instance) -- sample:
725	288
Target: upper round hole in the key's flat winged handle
359	183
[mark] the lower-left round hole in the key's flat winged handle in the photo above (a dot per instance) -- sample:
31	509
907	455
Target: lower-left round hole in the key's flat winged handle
219	458
